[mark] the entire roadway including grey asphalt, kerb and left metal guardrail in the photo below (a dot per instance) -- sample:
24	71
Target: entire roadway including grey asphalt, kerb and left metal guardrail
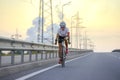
33	61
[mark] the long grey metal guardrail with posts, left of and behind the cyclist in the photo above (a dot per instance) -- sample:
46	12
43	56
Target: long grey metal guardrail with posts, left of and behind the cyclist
20	52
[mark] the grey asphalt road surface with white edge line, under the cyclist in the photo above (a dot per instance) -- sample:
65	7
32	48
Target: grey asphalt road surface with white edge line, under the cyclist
93	66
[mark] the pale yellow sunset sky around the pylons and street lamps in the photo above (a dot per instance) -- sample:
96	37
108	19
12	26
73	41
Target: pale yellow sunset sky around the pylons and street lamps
100	18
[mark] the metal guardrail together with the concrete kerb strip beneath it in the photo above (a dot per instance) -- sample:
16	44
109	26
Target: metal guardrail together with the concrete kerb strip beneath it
25	55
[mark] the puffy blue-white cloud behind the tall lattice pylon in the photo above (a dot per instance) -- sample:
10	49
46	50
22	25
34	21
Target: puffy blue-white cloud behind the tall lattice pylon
32	32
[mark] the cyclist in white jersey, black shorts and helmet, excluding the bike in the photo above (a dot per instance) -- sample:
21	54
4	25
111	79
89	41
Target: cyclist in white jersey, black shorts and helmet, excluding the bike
62	33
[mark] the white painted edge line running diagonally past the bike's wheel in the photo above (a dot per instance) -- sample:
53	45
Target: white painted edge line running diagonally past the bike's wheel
46	69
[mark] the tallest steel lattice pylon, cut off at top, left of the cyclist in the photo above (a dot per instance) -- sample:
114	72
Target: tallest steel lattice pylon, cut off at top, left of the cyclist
45	11
